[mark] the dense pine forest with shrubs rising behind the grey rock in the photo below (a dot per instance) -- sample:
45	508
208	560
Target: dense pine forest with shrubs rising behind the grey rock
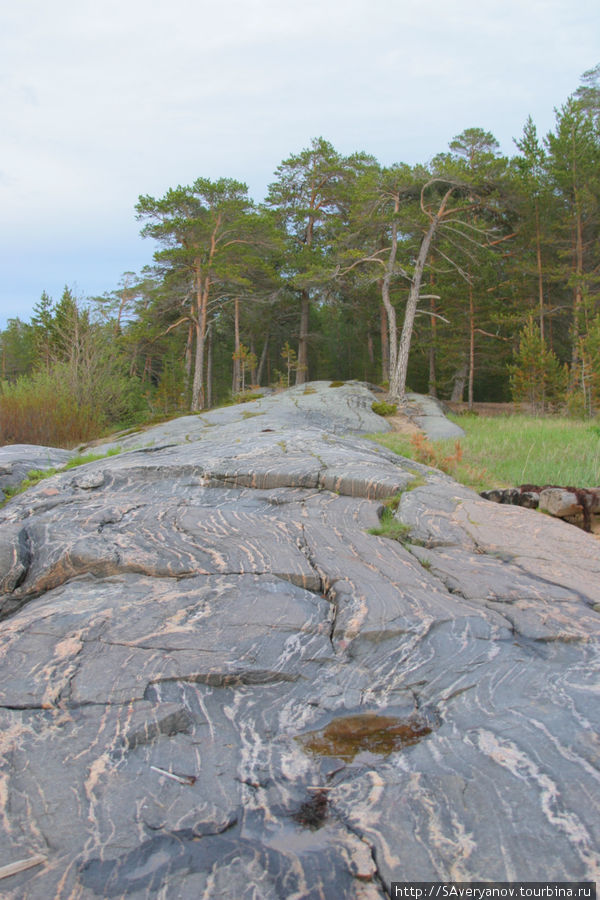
474	276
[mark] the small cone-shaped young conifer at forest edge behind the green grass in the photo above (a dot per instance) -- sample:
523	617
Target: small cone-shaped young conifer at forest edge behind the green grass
537	376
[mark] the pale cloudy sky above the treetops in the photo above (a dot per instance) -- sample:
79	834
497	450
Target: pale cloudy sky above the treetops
104	100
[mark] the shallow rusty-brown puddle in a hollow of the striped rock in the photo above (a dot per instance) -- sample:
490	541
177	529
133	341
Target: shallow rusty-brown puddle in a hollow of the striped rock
348	736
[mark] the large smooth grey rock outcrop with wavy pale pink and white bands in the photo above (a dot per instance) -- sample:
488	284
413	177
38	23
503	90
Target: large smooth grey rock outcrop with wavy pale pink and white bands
214	682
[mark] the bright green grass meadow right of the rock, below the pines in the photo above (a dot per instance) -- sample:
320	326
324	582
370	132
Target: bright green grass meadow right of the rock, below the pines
505	451
